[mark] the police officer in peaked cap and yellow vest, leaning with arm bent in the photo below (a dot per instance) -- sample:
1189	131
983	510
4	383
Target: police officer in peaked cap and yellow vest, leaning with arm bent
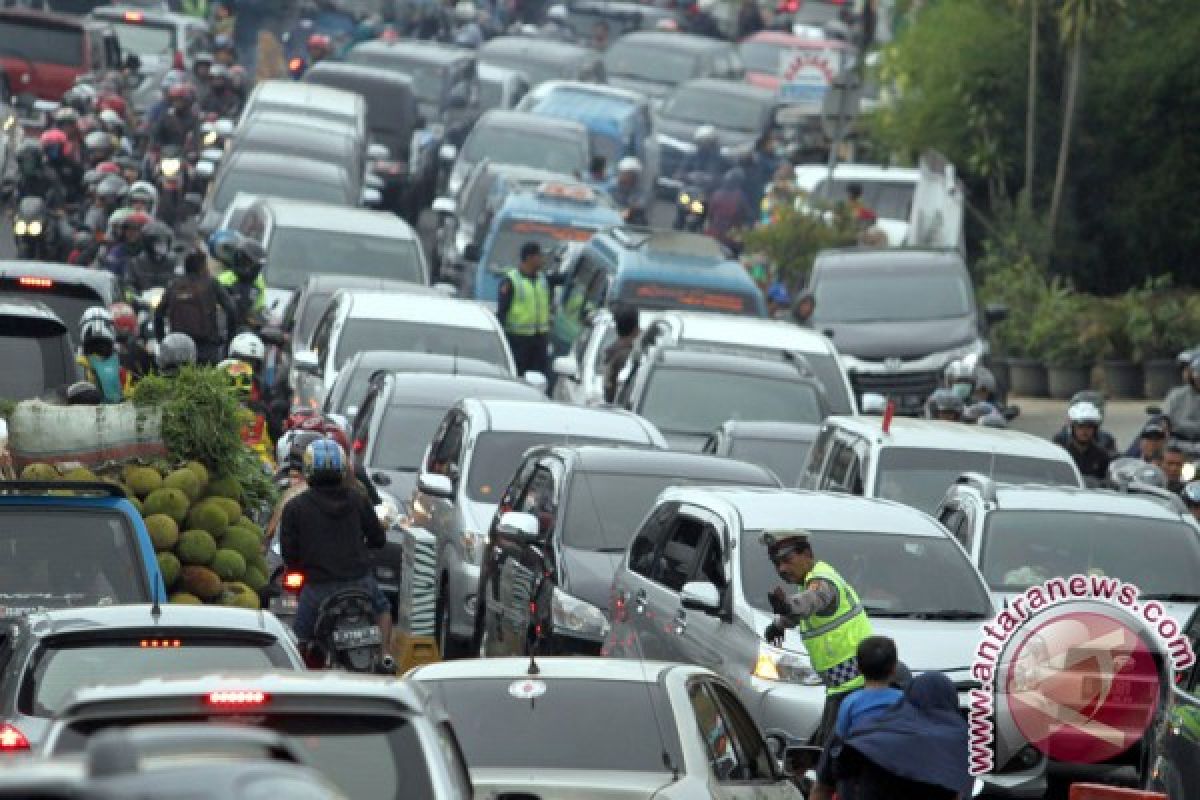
827	612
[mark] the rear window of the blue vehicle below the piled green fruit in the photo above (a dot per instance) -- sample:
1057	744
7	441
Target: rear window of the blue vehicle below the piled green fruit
57	558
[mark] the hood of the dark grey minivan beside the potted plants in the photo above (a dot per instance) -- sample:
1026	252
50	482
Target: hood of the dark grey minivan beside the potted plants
899	340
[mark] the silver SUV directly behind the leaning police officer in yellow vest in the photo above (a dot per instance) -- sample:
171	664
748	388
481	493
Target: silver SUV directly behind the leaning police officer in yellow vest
695	581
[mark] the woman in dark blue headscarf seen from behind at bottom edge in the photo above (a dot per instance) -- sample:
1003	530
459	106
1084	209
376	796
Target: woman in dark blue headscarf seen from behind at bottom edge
917	750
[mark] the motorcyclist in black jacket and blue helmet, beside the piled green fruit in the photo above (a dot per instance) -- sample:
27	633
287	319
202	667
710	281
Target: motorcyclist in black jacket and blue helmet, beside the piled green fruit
325	534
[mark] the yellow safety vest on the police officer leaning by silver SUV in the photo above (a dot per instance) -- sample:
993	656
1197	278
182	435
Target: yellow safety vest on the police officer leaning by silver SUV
833	641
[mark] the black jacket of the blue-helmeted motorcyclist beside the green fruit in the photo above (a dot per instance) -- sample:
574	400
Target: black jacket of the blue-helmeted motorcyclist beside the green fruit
326	533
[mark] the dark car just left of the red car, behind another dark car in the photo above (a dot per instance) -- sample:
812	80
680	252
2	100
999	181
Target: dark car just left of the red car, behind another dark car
655	63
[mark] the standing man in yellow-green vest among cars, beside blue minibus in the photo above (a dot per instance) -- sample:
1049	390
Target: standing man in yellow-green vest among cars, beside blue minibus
524	311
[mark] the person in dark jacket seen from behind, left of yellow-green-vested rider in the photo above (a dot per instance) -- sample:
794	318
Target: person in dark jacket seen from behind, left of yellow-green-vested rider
191	304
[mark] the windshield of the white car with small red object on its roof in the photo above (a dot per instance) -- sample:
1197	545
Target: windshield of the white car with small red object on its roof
920	478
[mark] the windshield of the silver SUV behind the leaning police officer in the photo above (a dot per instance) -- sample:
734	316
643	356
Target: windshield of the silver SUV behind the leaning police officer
896	575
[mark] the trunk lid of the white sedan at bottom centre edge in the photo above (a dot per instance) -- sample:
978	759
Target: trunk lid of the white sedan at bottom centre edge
568	785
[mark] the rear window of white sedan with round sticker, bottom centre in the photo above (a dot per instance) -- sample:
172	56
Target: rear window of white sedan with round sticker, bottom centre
499	727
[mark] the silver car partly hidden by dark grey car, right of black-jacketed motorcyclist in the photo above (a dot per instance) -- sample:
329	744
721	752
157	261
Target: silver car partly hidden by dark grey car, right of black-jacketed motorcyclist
465	474
